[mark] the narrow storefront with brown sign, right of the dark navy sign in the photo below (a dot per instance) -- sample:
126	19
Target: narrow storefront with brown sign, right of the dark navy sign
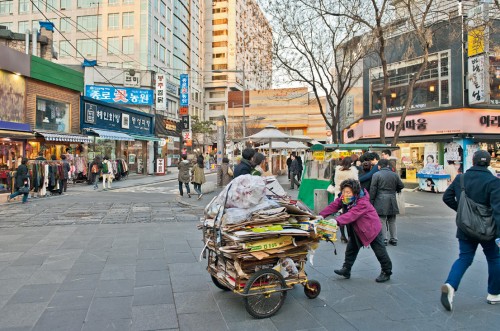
169	147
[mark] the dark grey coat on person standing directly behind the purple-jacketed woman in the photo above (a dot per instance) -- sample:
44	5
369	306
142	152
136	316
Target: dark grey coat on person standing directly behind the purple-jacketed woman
385	184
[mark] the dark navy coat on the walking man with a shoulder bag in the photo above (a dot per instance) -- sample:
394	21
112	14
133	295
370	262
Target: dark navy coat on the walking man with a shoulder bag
480	186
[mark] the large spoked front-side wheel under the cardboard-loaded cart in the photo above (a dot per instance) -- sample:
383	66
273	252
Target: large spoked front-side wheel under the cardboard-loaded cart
265	293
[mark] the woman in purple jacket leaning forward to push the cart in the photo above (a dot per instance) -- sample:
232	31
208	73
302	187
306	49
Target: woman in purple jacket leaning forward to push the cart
363	227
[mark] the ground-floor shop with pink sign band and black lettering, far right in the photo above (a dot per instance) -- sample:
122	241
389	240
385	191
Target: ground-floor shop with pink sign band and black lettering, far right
436	142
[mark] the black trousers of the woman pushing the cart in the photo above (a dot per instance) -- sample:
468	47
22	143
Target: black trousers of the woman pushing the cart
378	247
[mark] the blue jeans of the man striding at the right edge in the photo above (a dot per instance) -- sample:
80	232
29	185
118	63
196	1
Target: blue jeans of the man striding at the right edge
467	251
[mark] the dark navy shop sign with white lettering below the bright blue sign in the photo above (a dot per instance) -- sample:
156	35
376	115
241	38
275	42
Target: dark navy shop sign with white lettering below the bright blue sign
98	115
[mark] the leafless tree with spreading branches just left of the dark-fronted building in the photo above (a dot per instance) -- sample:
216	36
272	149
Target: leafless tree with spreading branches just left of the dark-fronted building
317	50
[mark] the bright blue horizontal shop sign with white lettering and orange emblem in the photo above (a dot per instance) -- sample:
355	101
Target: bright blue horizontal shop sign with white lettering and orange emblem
121	95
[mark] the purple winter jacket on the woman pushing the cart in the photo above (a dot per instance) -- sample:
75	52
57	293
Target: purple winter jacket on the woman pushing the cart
363	216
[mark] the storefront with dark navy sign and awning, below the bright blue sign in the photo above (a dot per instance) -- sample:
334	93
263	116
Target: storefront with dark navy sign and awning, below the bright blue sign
119	133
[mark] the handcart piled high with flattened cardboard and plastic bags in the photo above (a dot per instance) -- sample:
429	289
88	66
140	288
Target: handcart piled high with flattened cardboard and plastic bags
257	241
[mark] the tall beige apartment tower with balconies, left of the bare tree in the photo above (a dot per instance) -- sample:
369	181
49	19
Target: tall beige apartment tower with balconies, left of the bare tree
238	38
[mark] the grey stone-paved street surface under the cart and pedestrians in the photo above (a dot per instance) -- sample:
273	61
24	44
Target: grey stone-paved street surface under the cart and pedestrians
128	259
